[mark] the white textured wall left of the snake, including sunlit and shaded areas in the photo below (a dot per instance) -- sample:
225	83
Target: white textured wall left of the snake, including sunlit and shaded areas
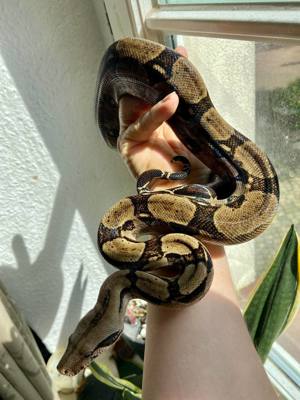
57	176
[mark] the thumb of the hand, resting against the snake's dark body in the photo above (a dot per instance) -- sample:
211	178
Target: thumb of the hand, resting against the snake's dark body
144	126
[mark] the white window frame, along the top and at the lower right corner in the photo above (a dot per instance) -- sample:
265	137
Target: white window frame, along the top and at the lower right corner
278	22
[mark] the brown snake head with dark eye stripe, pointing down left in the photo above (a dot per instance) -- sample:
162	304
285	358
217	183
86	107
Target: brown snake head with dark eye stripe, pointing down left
86	343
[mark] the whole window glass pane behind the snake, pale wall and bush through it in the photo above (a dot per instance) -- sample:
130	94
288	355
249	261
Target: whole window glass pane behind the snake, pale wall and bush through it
256	88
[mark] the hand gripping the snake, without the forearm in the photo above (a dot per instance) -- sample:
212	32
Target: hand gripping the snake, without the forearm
147	142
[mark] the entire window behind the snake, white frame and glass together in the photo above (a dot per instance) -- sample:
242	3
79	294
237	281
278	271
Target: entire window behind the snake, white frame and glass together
255	84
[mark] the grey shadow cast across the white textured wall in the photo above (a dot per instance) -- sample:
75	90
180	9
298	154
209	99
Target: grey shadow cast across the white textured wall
52	50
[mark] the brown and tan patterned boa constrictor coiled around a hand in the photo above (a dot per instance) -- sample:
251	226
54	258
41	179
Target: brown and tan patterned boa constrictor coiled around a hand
172	267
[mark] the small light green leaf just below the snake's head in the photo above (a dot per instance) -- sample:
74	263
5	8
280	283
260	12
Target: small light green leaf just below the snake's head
103	374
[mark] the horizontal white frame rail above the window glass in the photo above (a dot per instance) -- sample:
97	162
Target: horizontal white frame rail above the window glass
252	23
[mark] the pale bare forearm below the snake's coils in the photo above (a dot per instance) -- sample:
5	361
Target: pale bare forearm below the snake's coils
203	351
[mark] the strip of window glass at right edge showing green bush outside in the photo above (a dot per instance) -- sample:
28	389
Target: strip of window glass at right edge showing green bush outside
278	132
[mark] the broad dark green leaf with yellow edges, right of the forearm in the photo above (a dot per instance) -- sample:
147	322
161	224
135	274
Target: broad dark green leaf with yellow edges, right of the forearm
276	299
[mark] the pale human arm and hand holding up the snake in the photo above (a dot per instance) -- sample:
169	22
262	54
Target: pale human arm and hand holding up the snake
203	351
